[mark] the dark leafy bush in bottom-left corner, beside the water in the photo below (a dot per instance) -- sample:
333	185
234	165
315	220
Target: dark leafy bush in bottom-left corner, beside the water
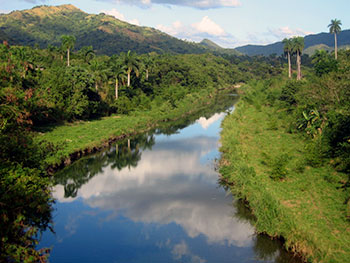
25	209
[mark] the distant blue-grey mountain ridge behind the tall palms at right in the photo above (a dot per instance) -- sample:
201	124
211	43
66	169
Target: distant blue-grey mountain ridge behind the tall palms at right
312	43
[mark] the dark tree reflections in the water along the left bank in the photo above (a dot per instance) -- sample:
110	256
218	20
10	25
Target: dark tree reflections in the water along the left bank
120	156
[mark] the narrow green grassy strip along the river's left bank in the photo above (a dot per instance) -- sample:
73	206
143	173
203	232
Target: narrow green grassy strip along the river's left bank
74	140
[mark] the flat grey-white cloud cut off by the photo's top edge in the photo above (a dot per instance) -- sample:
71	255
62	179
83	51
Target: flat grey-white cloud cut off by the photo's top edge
199	4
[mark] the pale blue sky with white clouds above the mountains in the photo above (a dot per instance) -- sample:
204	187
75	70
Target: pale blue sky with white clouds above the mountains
230	23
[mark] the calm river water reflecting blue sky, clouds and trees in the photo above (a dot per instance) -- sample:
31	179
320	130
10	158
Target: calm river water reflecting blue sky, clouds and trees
155	201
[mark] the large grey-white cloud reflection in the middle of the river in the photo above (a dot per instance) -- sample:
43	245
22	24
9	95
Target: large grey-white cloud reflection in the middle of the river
170	185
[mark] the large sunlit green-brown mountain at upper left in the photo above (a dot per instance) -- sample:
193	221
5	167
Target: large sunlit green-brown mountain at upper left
44	25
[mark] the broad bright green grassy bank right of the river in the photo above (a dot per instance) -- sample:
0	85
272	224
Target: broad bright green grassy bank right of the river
265	166
